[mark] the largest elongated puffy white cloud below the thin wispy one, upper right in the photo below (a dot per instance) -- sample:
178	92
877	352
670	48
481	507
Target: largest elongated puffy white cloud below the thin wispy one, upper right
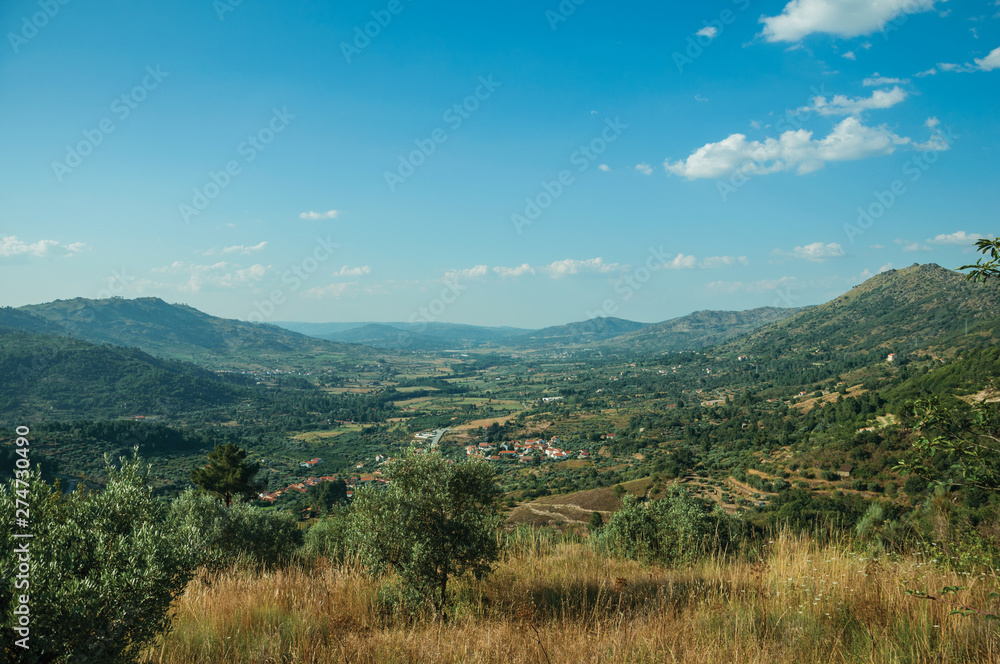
848	141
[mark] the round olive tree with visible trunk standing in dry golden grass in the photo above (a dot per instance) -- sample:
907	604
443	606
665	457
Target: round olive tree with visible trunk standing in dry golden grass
435	520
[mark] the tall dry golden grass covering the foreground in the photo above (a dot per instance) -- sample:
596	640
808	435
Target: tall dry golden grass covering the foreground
561	601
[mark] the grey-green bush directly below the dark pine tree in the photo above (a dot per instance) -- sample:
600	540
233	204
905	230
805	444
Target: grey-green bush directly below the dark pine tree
221	536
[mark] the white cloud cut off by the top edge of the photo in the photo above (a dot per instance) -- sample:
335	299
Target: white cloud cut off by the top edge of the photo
843	18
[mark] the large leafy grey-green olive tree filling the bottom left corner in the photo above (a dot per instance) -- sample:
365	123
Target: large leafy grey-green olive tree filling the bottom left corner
103	570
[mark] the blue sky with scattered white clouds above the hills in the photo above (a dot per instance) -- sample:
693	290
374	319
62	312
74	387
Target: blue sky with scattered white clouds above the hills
520	163
